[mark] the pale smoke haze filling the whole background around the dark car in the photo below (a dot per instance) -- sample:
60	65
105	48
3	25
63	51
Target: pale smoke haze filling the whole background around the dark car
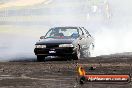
107	20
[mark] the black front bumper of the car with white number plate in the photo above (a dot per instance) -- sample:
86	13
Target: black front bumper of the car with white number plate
63	51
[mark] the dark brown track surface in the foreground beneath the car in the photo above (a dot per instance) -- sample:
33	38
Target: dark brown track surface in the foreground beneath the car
62	74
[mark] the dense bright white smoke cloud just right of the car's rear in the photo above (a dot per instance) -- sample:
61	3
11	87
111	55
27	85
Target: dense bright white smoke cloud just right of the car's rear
112	41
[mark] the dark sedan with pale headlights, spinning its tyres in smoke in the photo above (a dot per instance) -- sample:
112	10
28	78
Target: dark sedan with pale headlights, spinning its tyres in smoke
68	42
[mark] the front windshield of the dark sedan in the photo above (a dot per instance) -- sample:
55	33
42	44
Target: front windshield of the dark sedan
63	32
